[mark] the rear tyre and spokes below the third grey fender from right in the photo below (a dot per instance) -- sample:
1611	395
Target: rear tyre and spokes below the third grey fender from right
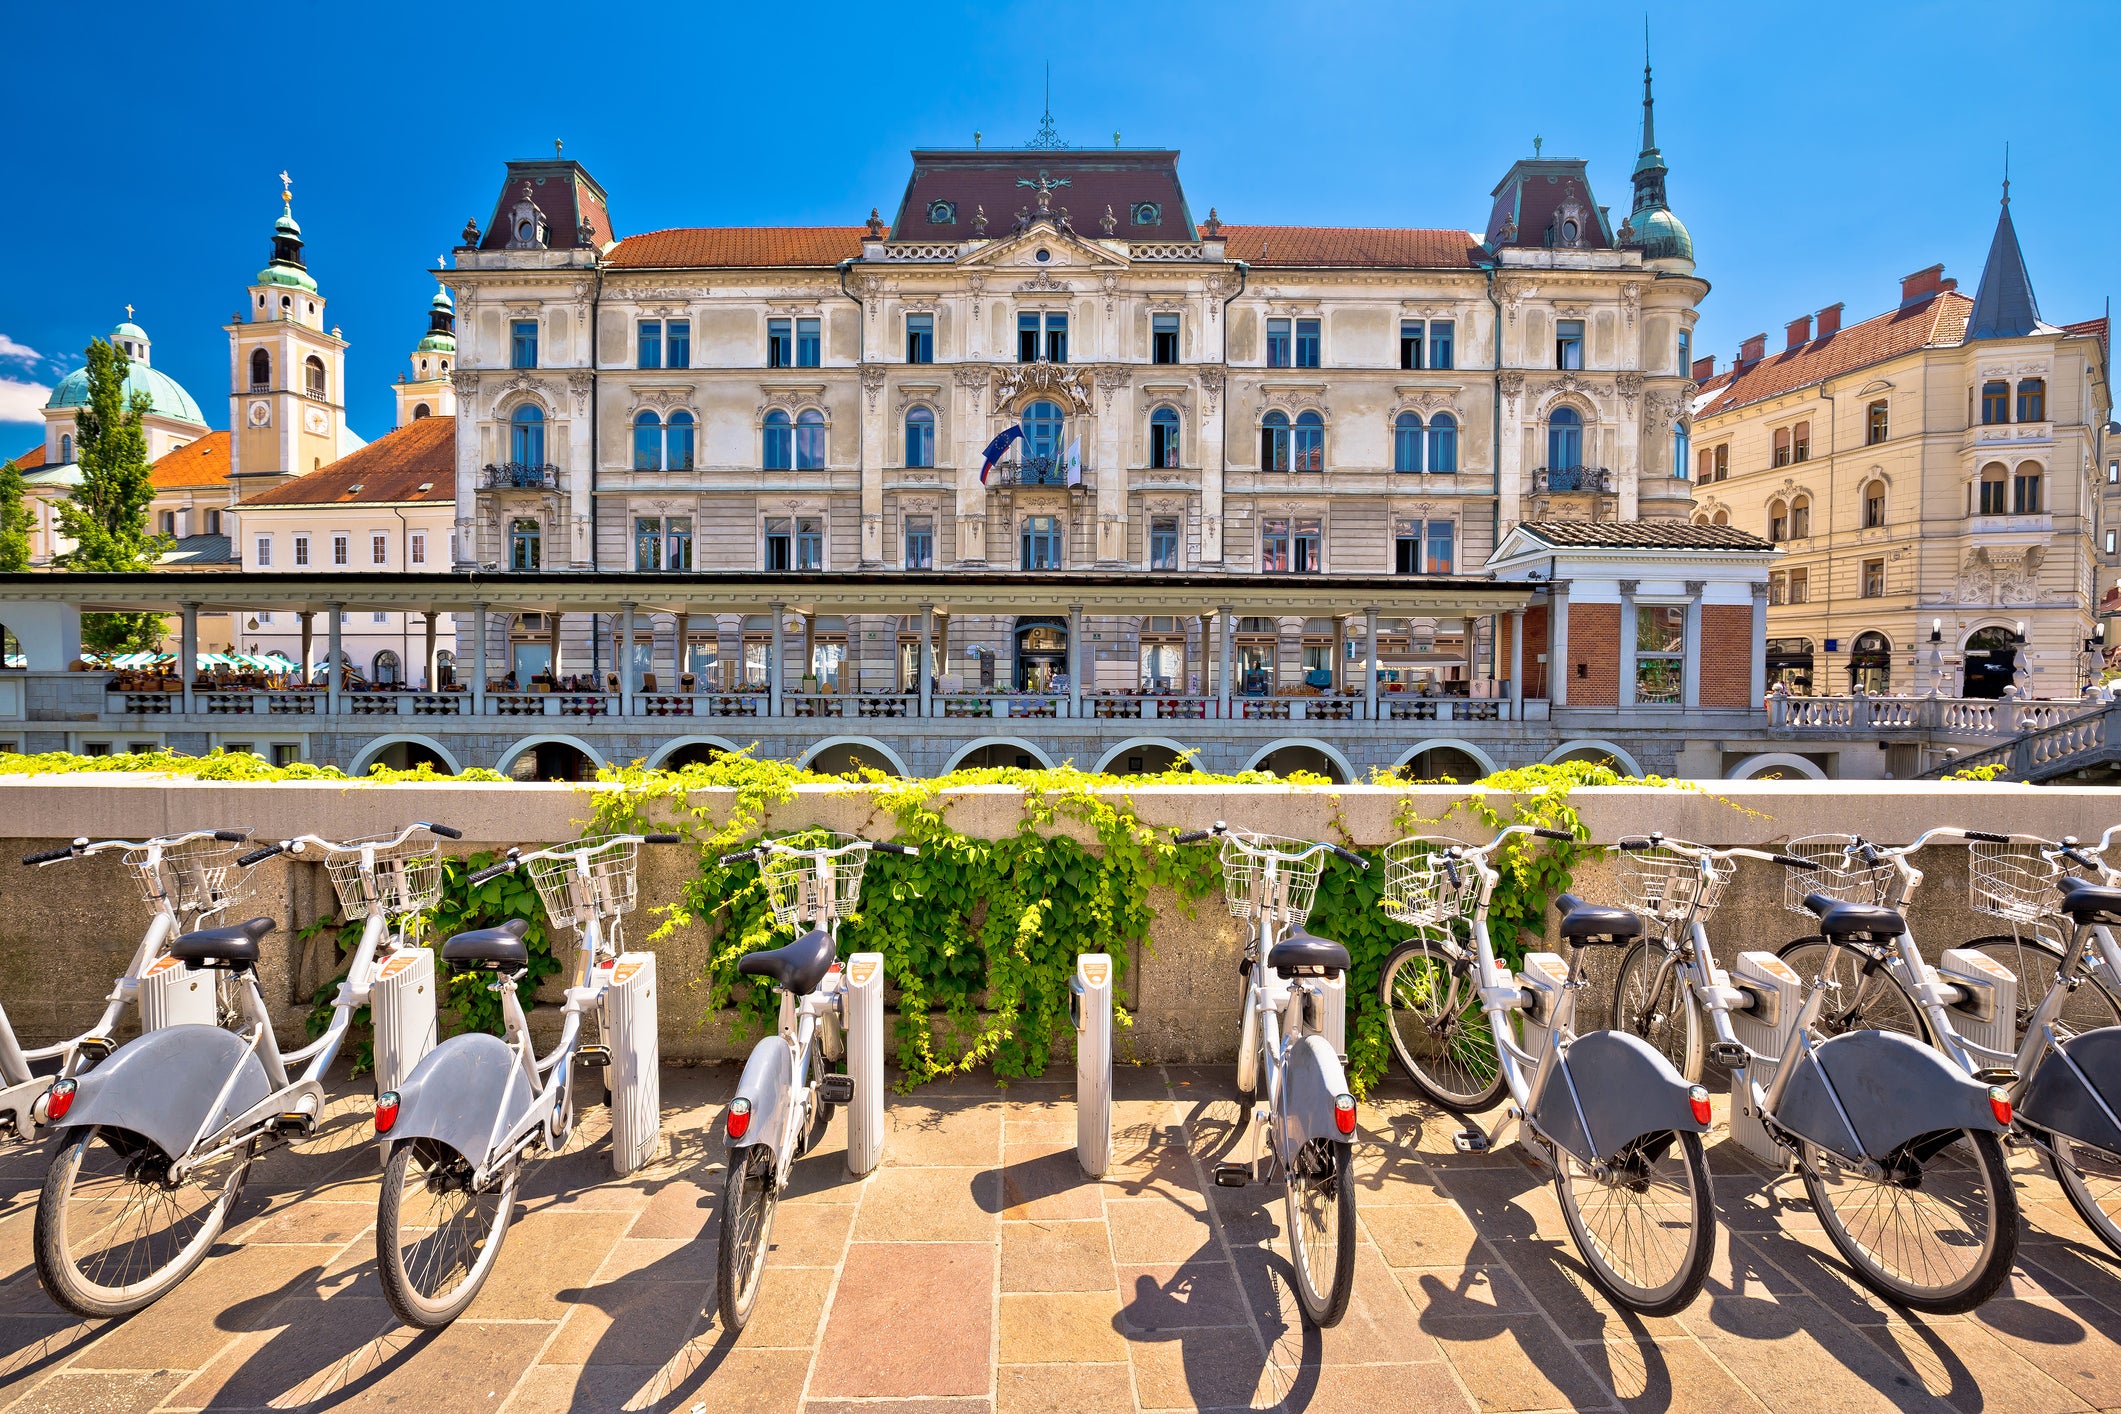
1651	1294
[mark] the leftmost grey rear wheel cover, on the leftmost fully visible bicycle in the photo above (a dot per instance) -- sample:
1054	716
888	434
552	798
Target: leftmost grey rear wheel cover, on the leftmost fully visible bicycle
164	1084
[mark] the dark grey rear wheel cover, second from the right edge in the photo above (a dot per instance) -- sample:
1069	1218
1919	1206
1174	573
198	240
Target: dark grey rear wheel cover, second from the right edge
1891	1086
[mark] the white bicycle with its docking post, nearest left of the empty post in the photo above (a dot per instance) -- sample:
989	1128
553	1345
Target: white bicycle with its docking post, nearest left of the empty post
830	1014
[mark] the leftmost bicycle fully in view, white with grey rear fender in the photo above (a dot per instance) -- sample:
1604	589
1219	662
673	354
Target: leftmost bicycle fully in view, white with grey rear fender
162	1135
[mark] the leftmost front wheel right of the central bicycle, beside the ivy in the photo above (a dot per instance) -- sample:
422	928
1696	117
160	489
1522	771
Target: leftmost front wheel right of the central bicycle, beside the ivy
1439	1033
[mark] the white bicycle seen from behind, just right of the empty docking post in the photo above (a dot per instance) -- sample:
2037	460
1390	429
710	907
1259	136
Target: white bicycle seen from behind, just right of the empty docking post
1291	1050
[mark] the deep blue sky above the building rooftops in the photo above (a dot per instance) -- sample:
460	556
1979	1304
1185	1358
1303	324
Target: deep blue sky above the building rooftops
1817	156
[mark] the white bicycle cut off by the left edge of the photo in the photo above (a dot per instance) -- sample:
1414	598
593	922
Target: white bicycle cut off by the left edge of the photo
183	879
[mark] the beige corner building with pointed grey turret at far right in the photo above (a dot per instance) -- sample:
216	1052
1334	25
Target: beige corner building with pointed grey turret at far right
1933	476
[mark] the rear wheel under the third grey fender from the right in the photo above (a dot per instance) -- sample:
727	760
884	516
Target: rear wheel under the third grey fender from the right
1647	1229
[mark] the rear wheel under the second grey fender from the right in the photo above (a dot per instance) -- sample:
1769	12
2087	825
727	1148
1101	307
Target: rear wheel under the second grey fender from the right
1935	1233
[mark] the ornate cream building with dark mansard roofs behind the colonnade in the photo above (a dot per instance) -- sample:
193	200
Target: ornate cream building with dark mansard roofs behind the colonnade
1174	393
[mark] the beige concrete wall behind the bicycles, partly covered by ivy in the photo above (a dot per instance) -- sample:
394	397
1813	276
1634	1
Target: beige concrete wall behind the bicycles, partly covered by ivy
67	930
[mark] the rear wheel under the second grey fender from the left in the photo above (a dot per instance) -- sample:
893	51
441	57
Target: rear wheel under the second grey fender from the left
438	1239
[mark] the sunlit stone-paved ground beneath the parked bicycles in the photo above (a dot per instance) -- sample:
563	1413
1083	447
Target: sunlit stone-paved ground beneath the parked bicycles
977	1273
